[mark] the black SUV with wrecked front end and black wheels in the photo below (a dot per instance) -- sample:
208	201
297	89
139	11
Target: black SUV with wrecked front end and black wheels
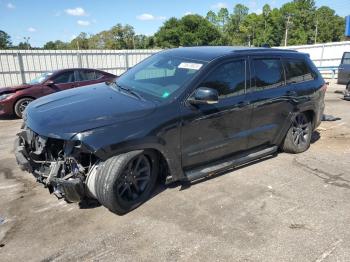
181	114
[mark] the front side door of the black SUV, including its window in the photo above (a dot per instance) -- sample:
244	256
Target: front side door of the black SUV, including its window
213	131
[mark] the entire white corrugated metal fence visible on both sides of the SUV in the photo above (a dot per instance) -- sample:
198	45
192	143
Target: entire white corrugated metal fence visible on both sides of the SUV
20	66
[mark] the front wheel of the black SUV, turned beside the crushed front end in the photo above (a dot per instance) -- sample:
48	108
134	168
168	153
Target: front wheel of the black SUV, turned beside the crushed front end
125	181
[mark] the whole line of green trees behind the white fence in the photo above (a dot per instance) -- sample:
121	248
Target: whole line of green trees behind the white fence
305	23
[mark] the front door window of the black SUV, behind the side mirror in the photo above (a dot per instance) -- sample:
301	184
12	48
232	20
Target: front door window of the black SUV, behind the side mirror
228	79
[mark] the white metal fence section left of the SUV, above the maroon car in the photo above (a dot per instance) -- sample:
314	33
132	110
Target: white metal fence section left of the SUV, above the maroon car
20	66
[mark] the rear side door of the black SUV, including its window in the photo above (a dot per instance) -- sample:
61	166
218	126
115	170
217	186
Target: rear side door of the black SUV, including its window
270	98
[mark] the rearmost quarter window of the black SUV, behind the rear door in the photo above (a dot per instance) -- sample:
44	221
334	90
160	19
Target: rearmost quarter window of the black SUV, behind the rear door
297	71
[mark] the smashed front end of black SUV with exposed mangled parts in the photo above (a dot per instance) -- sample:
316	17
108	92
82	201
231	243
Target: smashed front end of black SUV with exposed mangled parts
62	166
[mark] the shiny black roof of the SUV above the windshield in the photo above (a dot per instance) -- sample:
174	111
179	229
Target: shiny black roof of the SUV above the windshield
209	53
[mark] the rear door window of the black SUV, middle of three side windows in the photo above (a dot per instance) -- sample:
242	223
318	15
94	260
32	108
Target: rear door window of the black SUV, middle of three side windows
268	73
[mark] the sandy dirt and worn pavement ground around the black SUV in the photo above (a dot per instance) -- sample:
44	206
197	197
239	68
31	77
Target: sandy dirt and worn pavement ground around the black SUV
286	208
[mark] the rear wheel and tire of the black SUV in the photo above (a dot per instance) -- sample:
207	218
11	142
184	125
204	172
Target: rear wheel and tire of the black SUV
298	136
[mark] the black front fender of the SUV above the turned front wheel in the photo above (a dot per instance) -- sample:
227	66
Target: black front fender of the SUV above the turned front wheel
139	134
